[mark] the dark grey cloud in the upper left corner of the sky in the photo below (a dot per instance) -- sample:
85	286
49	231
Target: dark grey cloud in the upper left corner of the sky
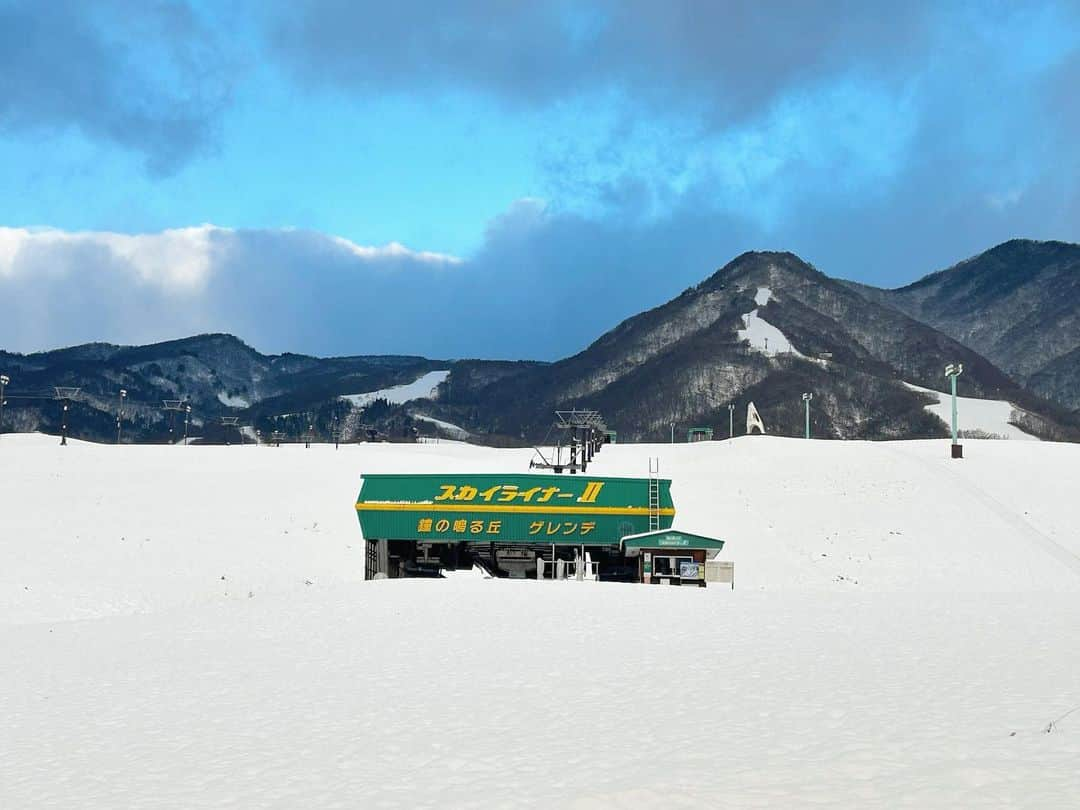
148	77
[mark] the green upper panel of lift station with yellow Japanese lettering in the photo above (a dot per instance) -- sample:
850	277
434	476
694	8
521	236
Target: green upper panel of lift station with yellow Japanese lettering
509	509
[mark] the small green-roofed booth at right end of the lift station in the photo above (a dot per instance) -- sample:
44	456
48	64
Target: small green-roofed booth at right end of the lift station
674	558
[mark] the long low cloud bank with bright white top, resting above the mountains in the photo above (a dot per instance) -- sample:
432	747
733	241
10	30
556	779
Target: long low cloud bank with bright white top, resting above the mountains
544	286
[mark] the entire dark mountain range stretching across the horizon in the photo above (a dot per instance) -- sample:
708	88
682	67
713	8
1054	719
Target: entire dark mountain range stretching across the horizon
765	328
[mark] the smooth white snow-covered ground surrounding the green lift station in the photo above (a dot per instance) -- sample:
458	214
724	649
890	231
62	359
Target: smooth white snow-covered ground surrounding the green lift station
188	628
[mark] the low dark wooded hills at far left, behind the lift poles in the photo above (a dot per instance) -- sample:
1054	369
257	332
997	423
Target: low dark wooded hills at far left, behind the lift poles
219	375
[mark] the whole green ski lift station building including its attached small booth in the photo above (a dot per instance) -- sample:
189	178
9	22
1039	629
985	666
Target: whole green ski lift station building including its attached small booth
526	526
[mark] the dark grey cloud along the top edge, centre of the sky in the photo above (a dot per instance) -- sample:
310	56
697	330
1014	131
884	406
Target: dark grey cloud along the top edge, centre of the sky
718	59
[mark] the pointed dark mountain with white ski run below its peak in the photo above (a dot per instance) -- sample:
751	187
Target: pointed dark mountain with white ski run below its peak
766	328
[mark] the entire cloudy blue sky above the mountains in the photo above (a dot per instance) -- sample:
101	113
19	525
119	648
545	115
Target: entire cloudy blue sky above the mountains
504	180
